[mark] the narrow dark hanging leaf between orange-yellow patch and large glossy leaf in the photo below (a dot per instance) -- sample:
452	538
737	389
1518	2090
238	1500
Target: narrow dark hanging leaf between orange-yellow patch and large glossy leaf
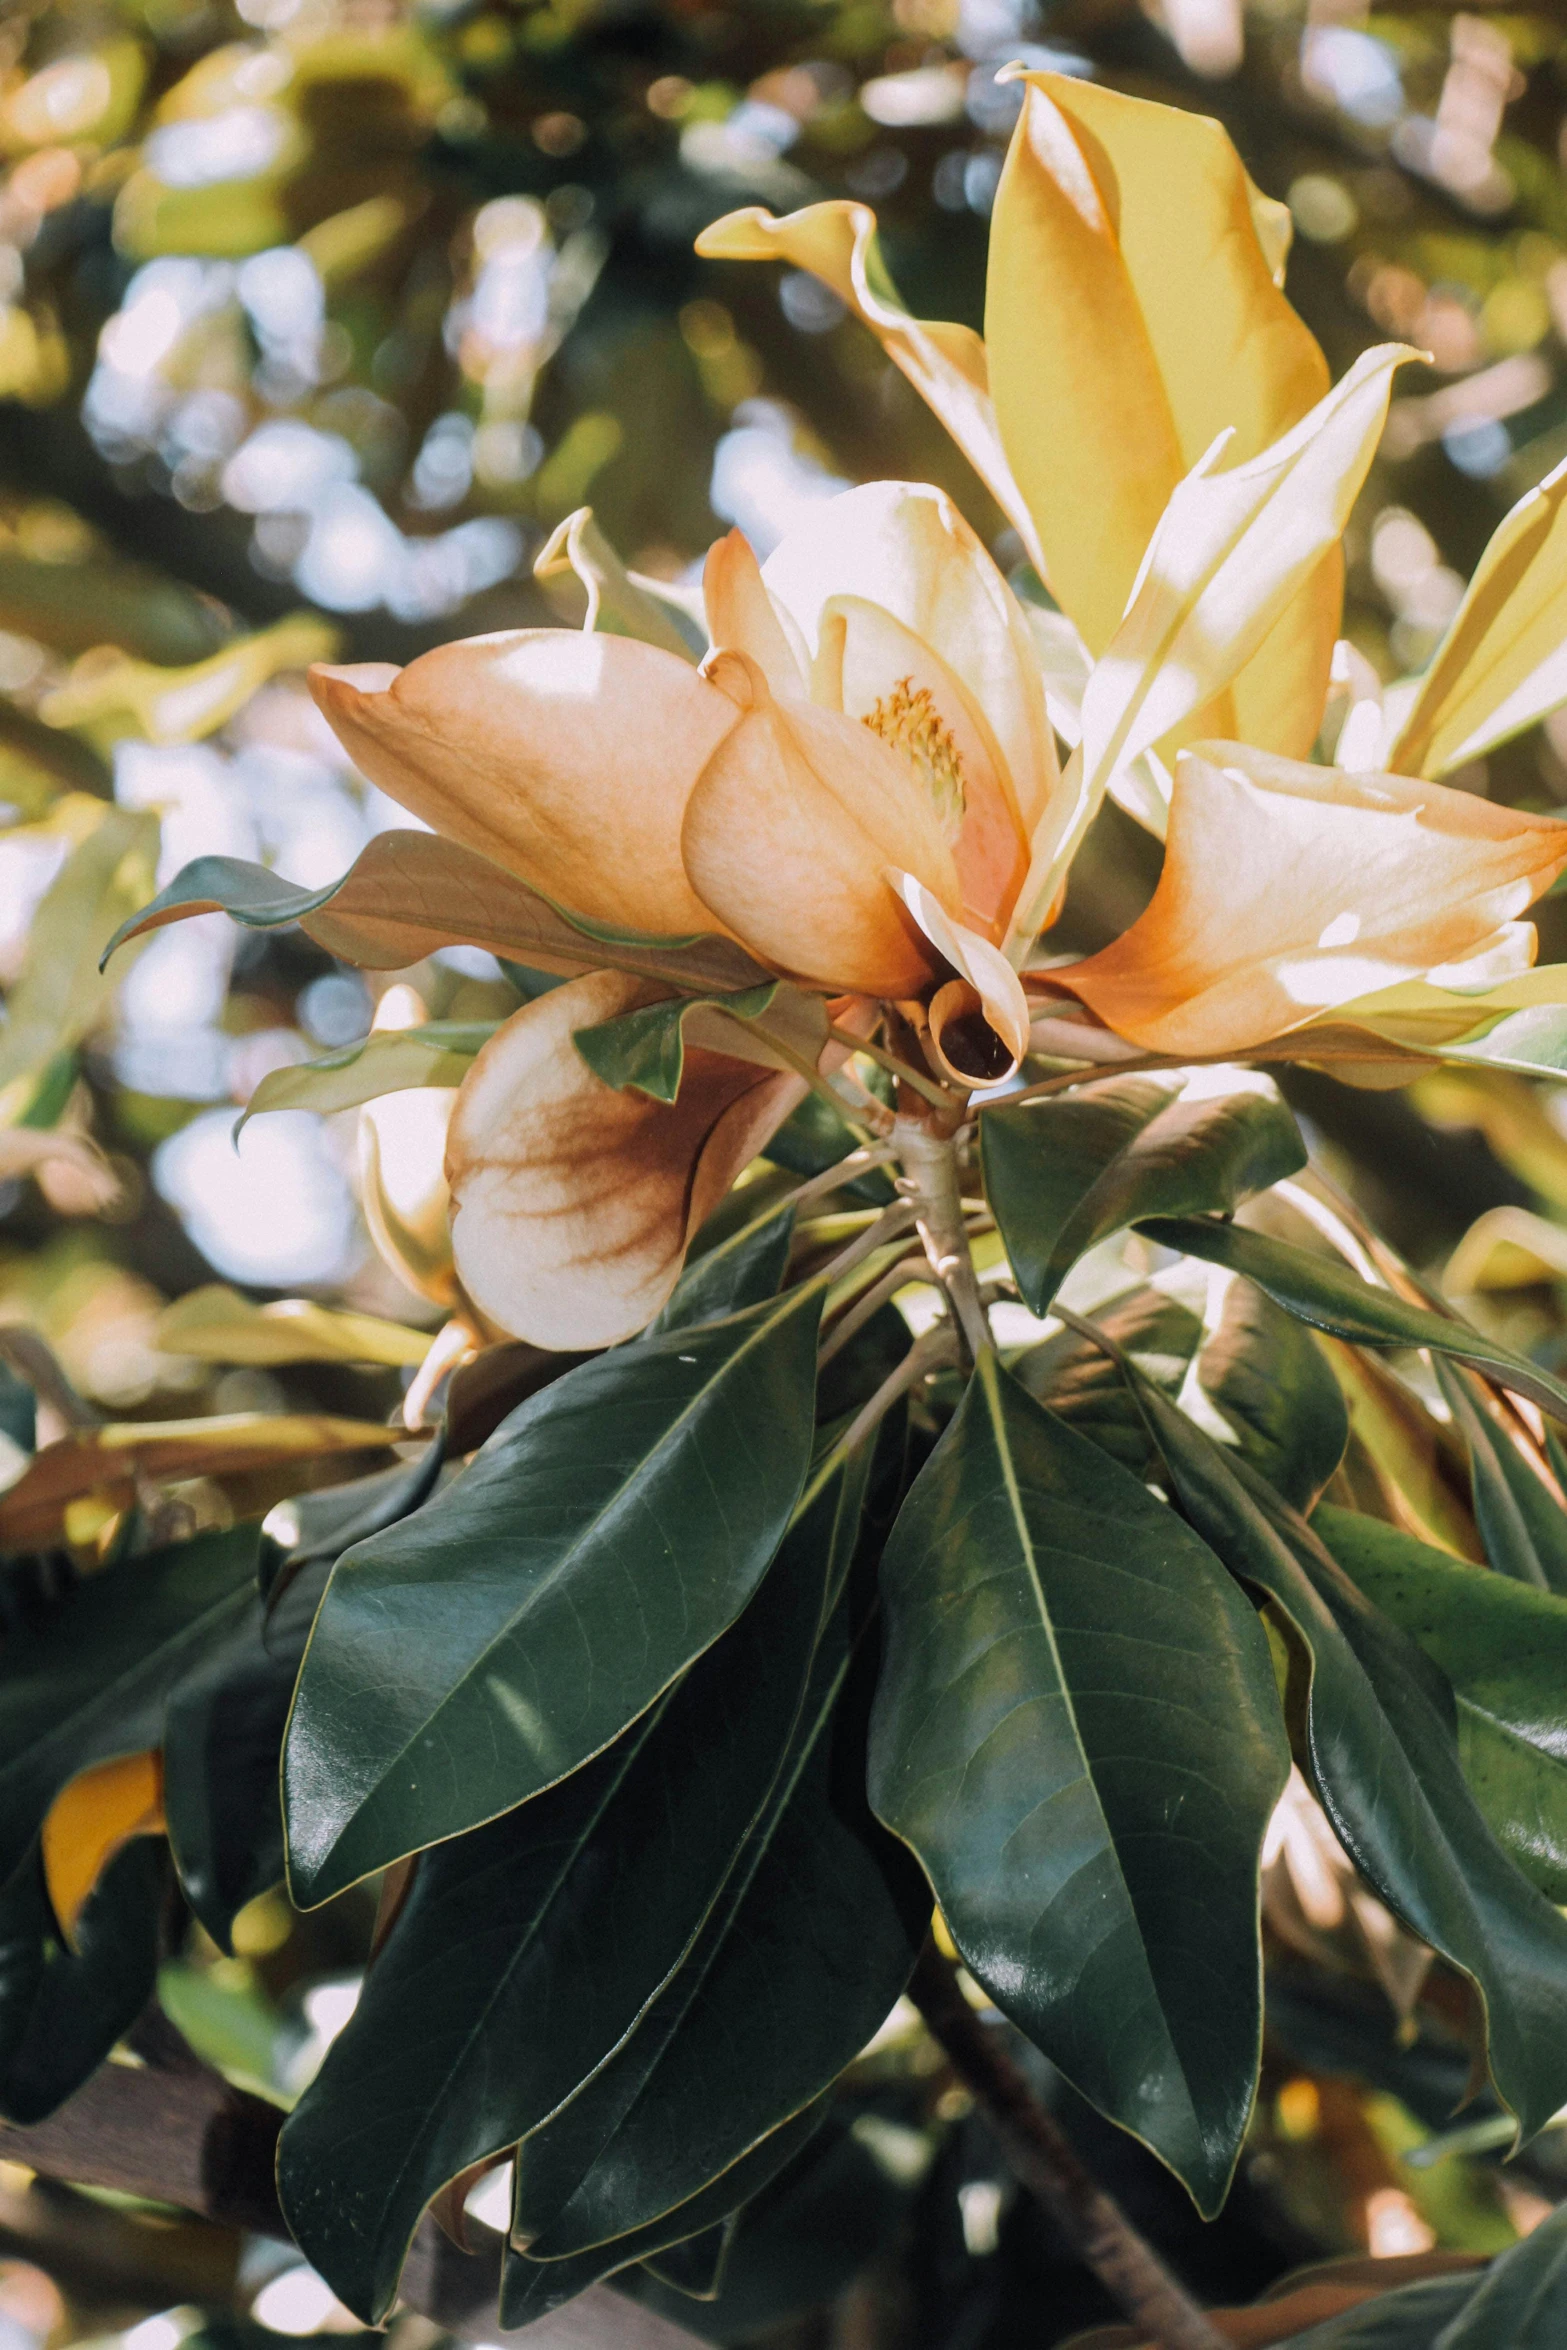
222	1752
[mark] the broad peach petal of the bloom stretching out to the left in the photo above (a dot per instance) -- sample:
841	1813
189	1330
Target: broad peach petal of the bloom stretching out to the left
565	758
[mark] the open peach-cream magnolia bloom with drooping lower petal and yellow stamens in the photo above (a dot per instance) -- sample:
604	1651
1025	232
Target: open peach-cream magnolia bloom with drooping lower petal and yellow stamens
859	786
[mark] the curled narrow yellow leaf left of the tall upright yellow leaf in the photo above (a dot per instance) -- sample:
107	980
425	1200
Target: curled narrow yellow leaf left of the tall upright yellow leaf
946	363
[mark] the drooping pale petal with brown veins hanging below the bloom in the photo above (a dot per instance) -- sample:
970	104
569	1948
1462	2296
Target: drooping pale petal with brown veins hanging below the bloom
572	1202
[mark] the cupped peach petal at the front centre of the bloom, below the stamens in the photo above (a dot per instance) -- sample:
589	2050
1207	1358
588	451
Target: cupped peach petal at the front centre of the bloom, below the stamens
793	828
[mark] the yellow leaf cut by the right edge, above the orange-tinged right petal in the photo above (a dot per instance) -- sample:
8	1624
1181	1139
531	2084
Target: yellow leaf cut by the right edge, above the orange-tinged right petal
1505	657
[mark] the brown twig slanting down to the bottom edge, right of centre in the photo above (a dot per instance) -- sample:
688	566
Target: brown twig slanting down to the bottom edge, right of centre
1054	2173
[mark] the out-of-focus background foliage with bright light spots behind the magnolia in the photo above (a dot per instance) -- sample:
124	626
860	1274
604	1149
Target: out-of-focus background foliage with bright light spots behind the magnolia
316	321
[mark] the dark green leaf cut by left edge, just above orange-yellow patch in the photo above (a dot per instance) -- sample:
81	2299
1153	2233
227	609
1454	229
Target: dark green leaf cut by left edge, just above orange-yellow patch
93	1677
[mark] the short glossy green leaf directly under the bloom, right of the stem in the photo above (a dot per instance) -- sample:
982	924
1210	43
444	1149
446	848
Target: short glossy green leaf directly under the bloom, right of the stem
1068	1171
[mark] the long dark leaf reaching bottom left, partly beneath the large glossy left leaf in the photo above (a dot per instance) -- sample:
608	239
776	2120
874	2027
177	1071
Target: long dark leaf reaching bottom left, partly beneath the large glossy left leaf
527	1949
